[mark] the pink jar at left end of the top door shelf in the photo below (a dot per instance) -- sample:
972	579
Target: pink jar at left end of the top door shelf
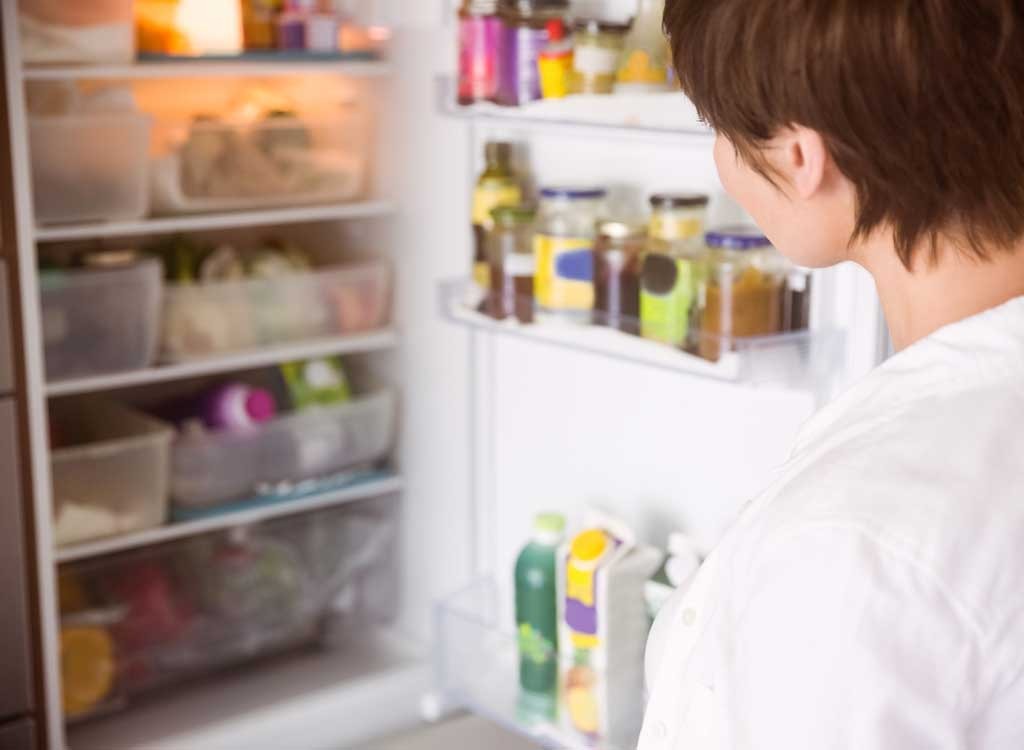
480	34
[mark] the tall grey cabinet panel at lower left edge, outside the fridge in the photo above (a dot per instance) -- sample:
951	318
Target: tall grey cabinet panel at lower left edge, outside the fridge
16	686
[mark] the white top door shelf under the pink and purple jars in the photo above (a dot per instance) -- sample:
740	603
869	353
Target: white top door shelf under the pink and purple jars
667	115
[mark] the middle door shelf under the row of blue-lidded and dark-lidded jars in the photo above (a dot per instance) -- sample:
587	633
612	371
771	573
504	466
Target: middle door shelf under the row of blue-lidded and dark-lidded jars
805	360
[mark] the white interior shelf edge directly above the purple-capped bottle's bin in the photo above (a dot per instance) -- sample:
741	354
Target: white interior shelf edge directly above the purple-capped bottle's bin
378	341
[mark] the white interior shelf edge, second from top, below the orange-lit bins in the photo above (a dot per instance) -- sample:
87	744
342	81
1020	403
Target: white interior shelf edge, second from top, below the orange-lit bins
214	222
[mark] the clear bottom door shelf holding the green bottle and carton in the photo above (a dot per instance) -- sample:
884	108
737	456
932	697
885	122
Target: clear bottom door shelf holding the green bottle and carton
478	666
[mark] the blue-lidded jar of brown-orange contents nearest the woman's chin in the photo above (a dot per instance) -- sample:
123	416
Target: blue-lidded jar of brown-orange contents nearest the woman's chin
743	296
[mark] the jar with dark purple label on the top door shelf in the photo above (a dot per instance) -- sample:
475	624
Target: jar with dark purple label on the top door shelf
524	37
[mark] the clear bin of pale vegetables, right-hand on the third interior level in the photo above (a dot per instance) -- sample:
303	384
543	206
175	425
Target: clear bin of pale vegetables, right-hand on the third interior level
201	320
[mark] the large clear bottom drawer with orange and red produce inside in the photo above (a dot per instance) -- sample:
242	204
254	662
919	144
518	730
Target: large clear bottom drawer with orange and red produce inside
152	618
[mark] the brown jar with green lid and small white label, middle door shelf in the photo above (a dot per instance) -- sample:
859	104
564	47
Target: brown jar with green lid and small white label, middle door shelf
510	257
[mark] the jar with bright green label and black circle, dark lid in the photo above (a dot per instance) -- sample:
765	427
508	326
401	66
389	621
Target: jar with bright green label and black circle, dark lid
673	269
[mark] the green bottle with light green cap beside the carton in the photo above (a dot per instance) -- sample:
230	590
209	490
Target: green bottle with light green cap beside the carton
537	605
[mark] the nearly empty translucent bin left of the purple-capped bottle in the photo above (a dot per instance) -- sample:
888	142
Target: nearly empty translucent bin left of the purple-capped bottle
113	476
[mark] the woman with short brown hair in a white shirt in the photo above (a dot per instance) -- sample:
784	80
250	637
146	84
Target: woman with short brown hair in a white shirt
873	598
